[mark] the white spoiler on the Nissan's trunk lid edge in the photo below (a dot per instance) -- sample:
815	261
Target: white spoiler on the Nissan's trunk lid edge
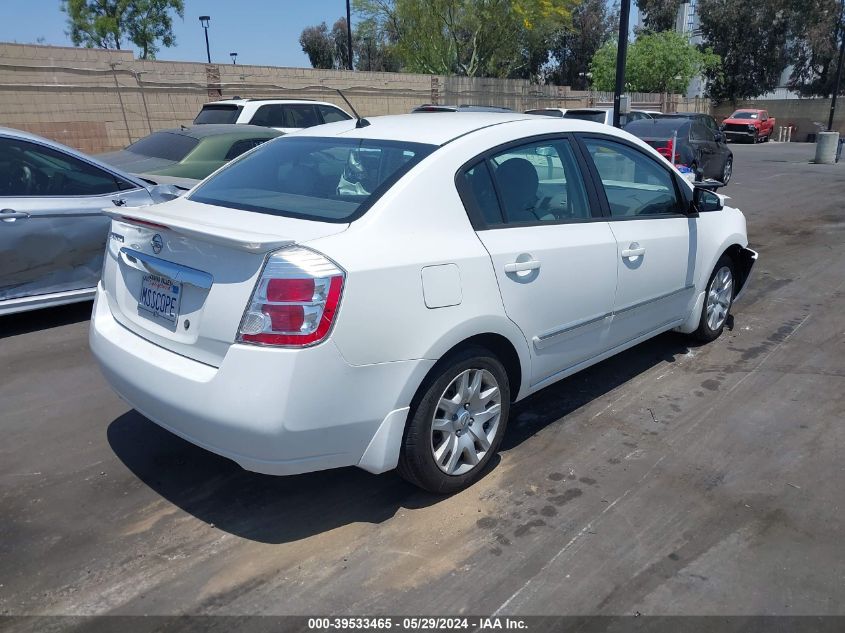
227	236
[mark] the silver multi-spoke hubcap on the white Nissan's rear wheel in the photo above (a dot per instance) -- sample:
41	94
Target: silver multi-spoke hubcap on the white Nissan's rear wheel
465	421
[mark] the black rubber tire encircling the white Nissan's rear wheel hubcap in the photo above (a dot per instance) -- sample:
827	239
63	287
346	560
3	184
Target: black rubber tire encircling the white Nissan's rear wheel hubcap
416	459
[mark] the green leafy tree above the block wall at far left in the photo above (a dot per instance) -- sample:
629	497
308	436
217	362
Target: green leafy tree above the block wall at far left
111	23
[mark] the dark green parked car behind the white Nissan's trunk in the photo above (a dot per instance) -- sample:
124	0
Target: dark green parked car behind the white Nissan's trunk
188	152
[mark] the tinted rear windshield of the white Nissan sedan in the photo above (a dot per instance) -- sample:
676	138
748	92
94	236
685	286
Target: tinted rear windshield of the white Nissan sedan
314	178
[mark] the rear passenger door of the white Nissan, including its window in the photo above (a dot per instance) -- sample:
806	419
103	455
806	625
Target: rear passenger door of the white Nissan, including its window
554	256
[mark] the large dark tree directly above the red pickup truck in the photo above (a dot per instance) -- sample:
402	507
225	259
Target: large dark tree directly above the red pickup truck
751	40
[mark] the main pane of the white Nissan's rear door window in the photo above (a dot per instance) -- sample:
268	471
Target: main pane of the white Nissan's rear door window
540	182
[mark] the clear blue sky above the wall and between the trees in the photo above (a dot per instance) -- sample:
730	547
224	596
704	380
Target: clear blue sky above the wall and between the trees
262	32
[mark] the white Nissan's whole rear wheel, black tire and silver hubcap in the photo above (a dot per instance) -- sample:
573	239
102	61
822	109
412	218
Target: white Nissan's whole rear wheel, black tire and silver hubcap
456	423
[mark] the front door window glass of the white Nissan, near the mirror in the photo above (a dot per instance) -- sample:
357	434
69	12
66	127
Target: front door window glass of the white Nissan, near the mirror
635	184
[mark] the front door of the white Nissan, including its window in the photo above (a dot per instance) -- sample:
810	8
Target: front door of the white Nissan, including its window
656	241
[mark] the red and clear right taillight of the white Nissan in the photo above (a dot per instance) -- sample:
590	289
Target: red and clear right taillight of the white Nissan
296	300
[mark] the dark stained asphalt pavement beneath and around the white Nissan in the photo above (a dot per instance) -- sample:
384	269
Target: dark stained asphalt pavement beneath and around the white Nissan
673	479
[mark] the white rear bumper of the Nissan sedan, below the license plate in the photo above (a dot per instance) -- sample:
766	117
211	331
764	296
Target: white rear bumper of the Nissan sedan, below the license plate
274	411
